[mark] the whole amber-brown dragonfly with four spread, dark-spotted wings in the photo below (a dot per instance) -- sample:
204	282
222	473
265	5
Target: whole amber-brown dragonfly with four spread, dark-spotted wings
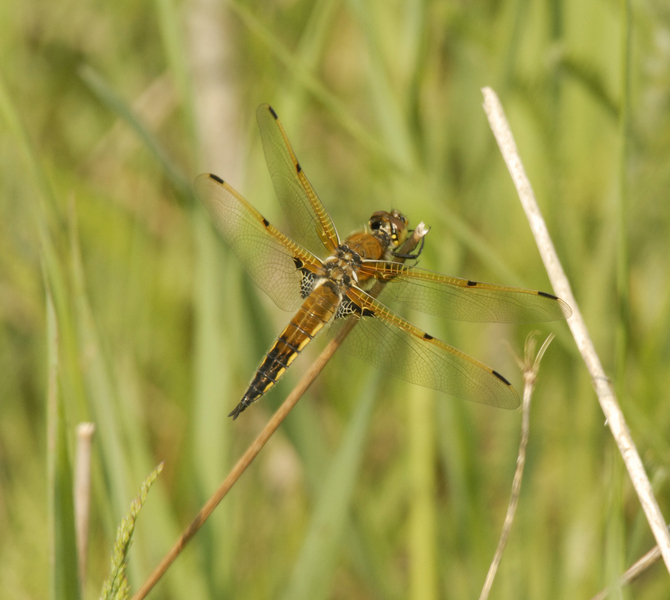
323	279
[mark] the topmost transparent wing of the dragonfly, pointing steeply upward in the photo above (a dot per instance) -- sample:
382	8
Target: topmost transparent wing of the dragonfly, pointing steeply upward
310	223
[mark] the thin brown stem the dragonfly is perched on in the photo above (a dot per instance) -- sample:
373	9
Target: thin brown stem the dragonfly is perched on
264	436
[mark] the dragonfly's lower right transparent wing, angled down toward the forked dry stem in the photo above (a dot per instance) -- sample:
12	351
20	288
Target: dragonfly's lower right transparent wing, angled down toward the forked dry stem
389	342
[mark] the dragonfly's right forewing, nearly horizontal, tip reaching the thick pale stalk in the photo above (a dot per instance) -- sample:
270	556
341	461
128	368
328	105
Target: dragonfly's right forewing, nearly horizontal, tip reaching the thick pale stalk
464	300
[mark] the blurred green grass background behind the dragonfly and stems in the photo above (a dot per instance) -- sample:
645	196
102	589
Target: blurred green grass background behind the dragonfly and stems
371	488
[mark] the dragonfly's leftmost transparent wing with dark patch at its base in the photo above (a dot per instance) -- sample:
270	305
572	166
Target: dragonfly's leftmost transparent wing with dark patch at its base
271	259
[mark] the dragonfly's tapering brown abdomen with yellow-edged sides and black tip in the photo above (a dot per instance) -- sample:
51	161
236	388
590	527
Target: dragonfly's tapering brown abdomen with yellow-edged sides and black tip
317	310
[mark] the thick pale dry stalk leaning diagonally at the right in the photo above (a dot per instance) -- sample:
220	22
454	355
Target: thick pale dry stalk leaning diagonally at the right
601	383
